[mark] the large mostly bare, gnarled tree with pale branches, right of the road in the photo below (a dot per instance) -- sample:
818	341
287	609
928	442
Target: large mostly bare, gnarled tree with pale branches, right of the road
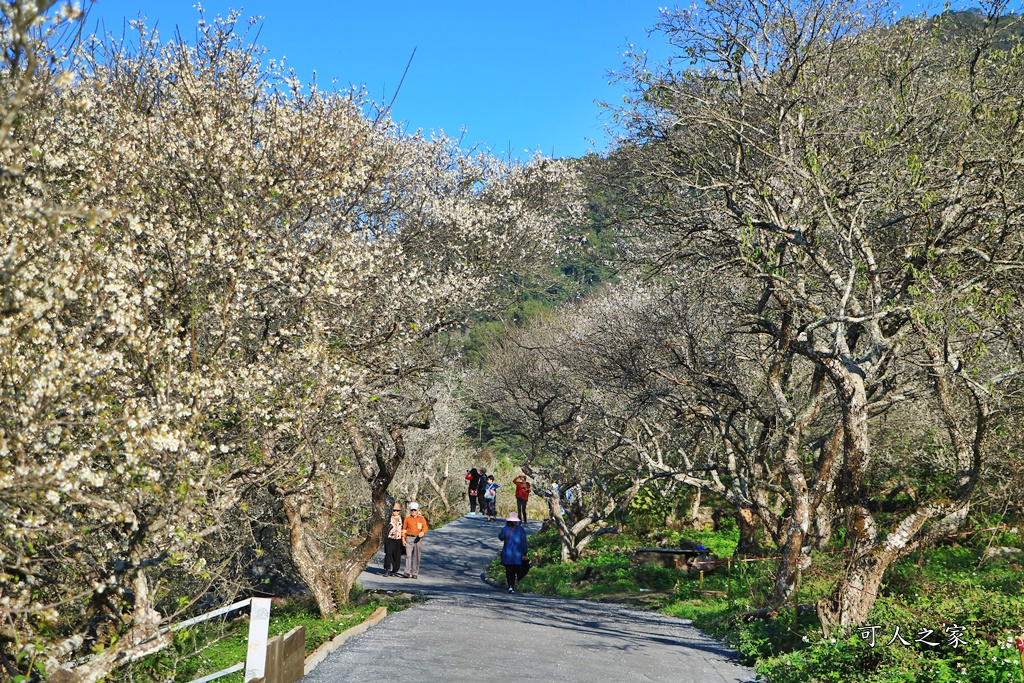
864	178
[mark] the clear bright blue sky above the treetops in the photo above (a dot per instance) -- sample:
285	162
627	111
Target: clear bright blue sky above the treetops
523	76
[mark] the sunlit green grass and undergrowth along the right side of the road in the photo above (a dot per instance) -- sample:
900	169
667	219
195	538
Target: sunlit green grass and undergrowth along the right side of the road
945	586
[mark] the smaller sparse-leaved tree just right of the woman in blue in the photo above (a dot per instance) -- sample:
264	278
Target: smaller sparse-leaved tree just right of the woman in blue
543	383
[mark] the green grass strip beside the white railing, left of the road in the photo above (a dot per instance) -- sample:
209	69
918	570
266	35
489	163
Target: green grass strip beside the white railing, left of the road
219	645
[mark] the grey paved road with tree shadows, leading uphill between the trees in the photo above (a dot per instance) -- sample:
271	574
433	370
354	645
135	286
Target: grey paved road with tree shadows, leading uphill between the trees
520	637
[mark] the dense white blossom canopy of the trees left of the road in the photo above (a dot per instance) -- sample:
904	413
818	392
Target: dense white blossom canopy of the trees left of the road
199	252
